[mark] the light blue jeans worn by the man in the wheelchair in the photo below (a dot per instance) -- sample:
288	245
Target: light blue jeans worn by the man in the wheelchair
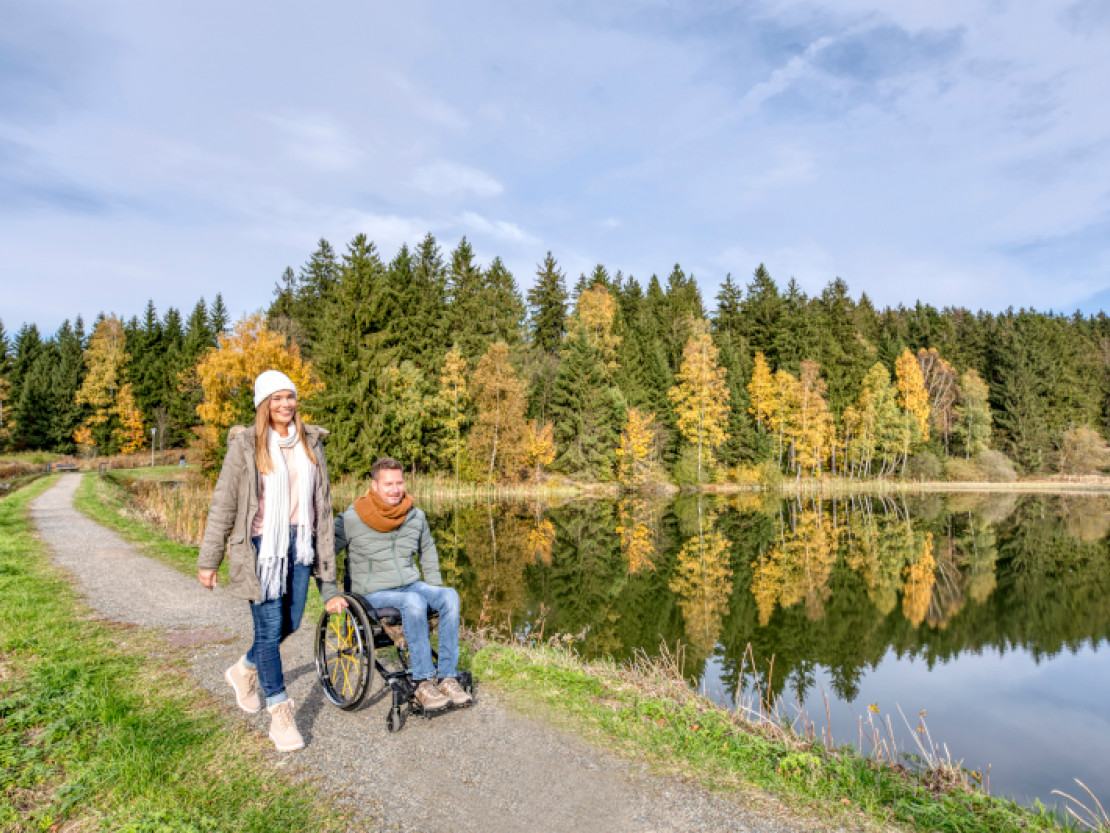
413	601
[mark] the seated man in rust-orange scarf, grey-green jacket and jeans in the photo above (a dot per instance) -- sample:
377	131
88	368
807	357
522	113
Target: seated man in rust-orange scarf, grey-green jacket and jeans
385	535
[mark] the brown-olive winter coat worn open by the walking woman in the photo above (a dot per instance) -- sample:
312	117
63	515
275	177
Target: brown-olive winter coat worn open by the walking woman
236	503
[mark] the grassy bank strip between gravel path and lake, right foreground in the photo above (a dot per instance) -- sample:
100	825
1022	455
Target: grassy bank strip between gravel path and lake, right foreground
697	739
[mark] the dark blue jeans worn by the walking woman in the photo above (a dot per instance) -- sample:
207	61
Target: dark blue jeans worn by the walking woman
275	621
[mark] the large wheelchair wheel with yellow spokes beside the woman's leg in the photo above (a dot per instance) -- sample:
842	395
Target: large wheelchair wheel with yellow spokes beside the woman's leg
346	656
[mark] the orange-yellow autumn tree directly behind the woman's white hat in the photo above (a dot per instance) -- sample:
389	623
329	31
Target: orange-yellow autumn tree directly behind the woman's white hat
227	373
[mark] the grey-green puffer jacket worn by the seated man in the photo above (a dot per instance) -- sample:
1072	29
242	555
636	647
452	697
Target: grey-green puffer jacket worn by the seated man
385	560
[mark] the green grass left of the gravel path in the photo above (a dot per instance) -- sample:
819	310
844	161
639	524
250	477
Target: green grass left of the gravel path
102	728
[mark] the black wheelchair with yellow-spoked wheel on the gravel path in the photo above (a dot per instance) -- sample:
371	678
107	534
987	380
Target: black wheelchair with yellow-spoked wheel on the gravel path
348	646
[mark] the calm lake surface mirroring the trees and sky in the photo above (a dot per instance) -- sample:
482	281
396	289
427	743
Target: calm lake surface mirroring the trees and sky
990	614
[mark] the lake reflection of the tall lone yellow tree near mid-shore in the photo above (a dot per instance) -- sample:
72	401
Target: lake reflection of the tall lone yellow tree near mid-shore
703	581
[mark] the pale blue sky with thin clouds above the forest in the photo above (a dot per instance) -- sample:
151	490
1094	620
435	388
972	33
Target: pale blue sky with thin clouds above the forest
947	152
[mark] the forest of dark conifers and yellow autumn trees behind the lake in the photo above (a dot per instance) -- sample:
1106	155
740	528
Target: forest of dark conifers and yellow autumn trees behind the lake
443	364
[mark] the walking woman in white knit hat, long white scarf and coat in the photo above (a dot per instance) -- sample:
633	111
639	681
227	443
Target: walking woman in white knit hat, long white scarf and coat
275	501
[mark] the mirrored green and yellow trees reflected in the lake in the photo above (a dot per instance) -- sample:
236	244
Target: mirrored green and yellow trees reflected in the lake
834	585
